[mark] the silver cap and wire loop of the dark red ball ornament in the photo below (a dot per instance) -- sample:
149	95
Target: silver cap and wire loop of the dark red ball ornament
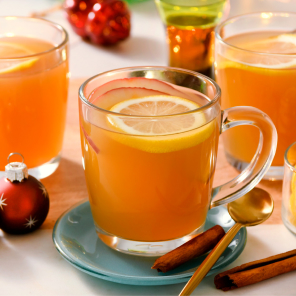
16	171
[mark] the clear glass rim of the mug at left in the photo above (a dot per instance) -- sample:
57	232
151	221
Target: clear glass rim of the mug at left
38	20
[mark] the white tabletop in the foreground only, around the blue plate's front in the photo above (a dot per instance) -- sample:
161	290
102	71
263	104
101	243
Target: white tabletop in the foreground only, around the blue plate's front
30	265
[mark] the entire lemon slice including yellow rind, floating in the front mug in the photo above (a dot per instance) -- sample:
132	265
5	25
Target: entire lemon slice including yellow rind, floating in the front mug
159	134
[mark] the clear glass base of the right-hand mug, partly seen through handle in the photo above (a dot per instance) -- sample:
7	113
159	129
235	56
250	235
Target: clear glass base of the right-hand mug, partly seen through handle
274	172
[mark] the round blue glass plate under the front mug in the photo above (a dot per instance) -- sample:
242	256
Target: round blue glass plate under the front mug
75	238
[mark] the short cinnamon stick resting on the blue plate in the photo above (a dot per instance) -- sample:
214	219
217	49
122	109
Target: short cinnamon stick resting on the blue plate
191	249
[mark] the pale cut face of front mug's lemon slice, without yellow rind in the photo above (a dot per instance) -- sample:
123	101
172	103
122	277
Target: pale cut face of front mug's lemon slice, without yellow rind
156	106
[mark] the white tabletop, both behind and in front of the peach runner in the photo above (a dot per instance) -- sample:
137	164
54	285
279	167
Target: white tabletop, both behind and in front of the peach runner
30	264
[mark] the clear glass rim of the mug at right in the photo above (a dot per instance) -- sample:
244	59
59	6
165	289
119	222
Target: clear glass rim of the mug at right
249	15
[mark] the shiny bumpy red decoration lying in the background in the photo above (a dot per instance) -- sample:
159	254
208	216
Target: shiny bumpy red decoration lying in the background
104	22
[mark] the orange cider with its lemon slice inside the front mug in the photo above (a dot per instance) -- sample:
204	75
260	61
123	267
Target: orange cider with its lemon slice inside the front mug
153	186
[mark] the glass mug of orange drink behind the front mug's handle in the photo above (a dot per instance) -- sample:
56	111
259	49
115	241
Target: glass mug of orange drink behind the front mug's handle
250	76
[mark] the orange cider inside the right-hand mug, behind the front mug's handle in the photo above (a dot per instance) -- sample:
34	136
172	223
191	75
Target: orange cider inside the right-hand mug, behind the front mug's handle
266	82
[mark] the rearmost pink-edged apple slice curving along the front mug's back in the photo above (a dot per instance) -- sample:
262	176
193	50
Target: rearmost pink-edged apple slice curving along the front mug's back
136	82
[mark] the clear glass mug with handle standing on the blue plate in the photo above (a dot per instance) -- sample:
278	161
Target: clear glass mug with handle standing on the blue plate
150	193
